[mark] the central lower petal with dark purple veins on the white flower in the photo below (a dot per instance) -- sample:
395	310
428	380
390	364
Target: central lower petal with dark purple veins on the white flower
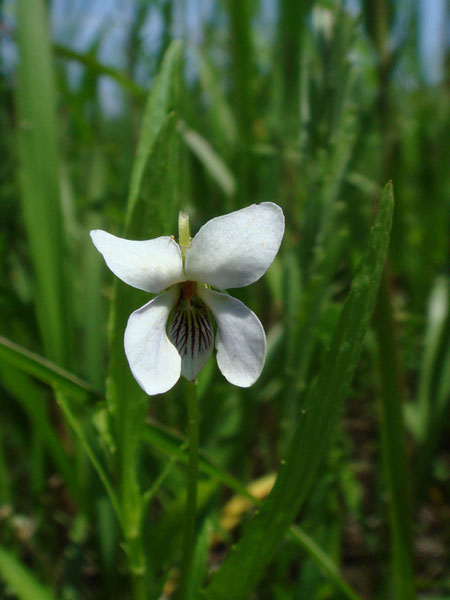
191	333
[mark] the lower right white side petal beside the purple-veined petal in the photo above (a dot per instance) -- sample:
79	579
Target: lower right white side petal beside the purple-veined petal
240	338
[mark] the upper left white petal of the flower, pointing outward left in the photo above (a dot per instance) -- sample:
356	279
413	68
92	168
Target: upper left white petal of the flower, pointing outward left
150	265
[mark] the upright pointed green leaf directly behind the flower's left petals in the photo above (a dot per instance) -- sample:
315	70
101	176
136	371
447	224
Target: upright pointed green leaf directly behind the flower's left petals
150	213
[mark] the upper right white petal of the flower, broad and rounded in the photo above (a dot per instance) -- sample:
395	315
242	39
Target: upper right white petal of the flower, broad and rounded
236	249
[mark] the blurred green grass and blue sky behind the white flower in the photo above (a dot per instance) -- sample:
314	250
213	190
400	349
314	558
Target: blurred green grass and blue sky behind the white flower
313	105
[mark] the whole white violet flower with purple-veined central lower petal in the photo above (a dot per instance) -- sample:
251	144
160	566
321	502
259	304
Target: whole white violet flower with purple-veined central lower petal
231	251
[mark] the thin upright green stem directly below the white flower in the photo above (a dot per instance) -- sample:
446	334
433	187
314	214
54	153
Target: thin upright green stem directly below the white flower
191	501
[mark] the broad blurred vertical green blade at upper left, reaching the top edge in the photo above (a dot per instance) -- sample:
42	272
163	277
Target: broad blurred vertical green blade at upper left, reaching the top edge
39	178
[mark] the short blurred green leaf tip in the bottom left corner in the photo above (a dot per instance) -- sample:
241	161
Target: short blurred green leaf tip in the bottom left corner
21	579
